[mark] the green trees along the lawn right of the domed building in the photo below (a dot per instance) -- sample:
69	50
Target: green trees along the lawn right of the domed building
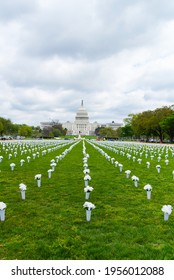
151	125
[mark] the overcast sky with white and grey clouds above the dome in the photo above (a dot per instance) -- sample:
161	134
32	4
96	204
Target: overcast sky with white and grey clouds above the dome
116	55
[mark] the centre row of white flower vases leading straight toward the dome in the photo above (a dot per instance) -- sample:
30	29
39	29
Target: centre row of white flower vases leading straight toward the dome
87	189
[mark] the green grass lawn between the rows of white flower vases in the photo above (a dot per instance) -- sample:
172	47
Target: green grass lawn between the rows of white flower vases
51	224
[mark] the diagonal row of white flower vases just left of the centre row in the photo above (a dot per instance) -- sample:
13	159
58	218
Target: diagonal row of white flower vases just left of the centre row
23	187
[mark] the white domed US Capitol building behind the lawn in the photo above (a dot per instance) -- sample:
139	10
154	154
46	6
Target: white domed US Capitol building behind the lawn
81	125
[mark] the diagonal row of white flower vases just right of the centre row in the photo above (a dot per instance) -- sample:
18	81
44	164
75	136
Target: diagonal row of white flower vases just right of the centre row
167	209
